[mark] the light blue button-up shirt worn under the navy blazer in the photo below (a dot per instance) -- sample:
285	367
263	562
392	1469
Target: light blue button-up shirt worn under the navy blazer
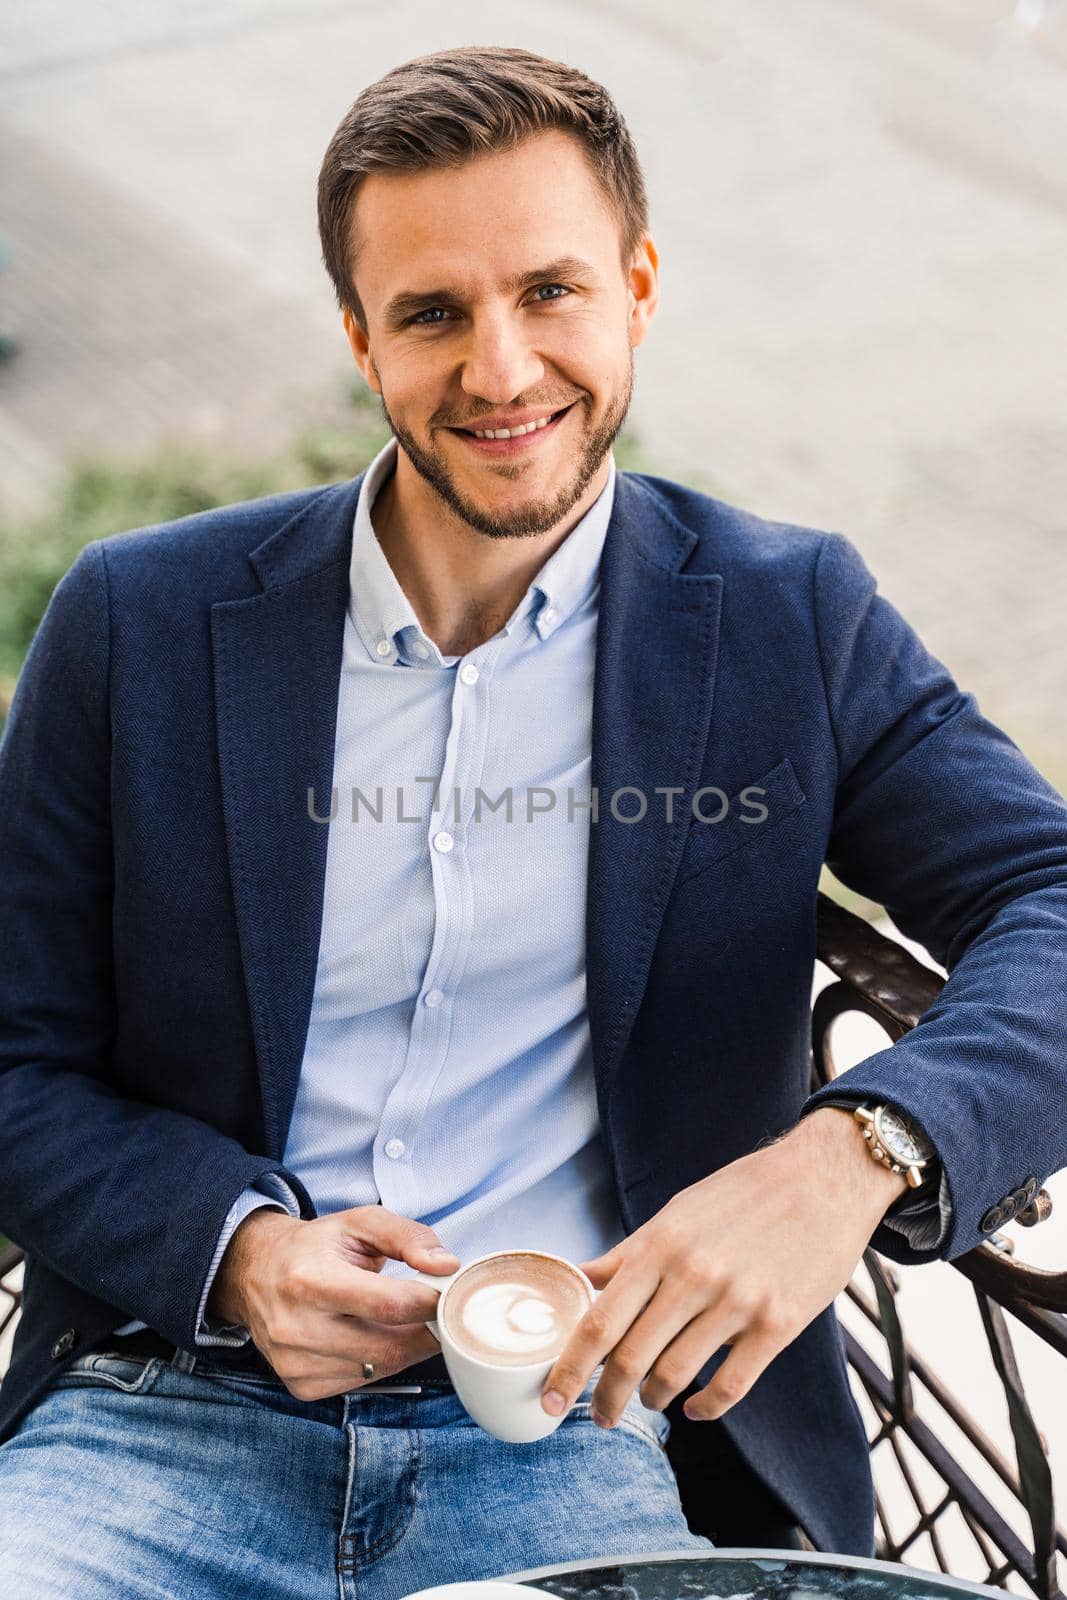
449	1068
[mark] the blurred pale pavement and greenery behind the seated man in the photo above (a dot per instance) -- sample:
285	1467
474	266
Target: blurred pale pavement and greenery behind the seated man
861	210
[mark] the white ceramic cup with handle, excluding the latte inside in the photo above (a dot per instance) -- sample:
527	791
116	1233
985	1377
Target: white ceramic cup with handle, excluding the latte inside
505	1401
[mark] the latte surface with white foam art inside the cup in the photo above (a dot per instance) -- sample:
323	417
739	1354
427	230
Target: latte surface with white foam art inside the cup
516	1310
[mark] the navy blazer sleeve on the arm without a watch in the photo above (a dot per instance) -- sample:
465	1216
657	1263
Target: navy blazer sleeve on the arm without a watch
121	1198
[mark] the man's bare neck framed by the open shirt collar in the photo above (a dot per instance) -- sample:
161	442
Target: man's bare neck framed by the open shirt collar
463	585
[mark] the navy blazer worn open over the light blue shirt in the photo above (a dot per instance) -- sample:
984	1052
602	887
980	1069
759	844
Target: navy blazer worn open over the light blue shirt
162	886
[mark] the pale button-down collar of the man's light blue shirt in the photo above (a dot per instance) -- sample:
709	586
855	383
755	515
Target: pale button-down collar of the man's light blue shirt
383	615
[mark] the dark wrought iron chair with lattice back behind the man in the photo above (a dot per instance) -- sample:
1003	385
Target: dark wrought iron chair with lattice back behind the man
879	978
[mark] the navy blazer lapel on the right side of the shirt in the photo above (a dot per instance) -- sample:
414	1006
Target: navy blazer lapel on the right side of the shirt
653	686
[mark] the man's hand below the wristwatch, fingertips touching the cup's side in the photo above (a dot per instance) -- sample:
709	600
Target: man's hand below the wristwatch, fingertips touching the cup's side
748	1258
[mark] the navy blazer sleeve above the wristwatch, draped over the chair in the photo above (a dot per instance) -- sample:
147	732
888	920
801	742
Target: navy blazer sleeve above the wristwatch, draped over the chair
941	820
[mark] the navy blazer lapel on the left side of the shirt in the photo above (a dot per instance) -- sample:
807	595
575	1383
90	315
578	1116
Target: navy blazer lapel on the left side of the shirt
278	670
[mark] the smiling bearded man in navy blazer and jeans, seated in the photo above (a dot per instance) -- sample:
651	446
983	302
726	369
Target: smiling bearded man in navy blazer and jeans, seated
428	865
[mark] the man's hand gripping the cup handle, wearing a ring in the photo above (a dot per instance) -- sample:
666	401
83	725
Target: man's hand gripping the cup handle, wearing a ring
313	1298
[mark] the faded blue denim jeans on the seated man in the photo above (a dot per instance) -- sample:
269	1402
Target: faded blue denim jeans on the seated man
140	1478
